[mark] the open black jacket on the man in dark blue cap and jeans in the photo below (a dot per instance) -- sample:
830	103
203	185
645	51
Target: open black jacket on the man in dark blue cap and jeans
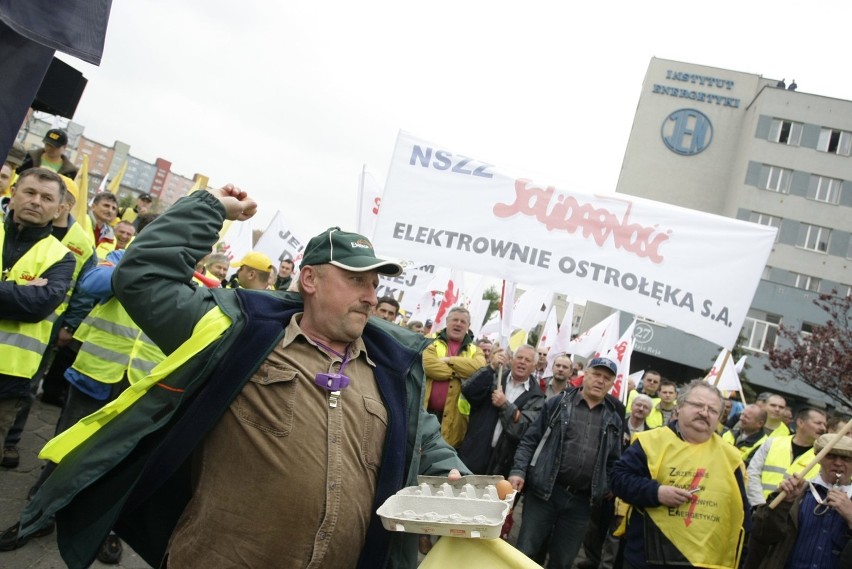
548	434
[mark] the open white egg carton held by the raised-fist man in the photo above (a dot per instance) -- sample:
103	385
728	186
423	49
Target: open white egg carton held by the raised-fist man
468	507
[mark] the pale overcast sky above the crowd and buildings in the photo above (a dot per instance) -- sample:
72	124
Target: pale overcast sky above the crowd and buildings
289	99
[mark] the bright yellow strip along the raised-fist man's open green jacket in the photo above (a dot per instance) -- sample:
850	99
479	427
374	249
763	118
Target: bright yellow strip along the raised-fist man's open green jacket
211	326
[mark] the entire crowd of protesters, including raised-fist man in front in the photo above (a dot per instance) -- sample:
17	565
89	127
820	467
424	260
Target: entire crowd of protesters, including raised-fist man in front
207	393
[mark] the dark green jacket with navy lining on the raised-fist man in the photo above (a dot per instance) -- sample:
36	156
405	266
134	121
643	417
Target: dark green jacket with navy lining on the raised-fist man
133	474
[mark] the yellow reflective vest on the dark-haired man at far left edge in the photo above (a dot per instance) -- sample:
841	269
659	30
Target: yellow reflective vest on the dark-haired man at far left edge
22	344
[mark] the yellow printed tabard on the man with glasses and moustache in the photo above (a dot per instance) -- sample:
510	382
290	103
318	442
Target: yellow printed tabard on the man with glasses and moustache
707	530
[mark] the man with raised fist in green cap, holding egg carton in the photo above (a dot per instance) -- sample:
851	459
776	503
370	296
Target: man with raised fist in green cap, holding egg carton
306	403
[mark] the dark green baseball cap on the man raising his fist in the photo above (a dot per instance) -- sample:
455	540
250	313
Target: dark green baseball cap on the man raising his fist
350	251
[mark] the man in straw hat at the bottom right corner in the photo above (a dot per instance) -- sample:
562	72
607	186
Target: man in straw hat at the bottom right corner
811	526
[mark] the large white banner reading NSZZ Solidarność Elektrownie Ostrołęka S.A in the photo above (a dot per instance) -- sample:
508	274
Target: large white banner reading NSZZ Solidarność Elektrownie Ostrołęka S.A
667	263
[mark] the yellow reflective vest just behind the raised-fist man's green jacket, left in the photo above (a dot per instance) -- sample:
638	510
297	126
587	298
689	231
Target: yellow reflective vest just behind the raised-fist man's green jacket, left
113	344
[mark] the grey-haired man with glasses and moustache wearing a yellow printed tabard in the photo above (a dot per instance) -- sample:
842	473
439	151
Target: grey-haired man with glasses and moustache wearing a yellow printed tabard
687	490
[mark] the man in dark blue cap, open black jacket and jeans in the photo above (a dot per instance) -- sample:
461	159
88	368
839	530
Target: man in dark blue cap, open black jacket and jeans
563	461
